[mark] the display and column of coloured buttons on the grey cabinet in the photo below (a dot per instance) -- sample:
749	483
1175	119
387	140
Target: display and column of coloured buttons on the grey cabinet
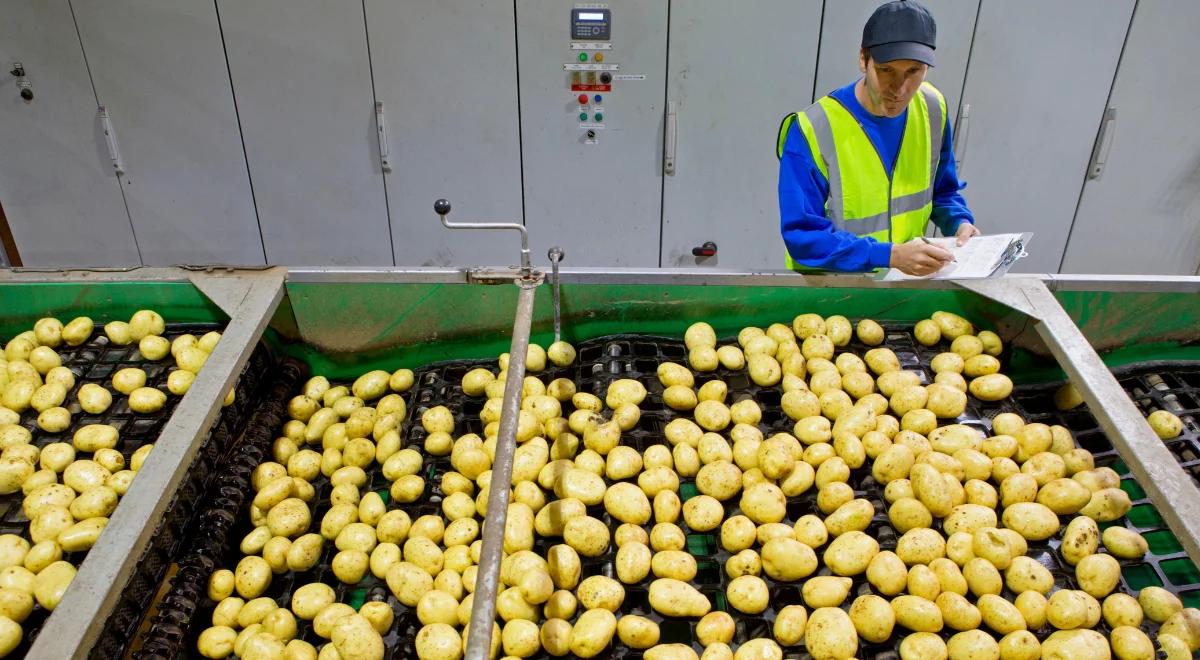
591	70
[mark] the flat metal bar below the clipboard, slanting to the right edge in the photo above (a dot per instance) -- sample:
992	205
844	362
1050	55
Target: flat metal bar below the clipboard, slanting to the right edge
1169	488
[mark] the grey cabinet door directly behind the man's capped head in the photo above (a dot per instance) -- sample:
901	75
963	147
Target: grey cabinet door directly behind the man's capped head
842	38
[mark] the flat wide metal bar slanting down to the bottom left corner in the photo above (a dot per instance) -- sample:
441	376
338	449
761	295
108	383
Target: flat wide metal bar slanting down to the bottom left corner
75	626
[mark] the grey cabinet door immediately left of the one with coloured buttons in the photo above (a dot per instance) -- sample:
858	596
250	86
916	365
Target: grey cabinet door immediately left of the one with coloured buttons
447	75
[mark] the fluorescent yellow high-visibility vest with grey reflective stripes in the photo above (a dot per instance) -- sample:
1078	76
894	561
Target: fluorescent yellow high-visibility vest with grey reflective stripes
863	200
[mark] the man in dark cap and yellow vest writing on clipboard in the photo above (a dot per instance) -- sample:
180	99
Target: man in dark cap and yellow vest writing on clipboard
863	170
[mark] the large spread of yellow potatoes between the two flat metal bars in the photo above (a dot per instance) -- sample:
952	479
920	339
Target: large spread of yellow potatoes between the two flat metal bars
967	506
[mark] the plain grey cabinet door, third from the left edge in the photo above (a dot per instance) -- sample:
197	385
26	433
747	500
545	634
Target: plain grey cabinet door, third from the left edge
302	79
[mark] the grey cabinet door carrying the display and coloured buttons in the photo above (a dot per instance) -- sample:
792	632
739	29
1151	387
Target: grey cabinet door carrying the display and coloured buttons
592	89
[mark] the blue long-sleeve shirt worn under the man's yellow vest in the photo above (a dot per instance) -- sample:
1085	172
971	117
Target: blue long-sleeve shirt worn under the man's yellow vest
812	238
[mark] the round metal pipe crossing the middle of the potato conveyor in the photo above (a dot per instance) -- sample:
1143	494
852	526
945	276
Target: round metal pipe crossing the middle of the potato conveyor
483	611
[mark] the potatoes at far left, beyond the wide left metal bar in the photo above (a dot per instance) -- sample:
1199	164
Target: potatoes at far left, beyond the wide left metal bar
70	488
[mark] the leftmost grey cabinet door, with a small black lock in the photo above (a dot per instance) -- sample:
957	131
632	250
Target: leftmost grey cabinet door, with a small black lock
57	182
